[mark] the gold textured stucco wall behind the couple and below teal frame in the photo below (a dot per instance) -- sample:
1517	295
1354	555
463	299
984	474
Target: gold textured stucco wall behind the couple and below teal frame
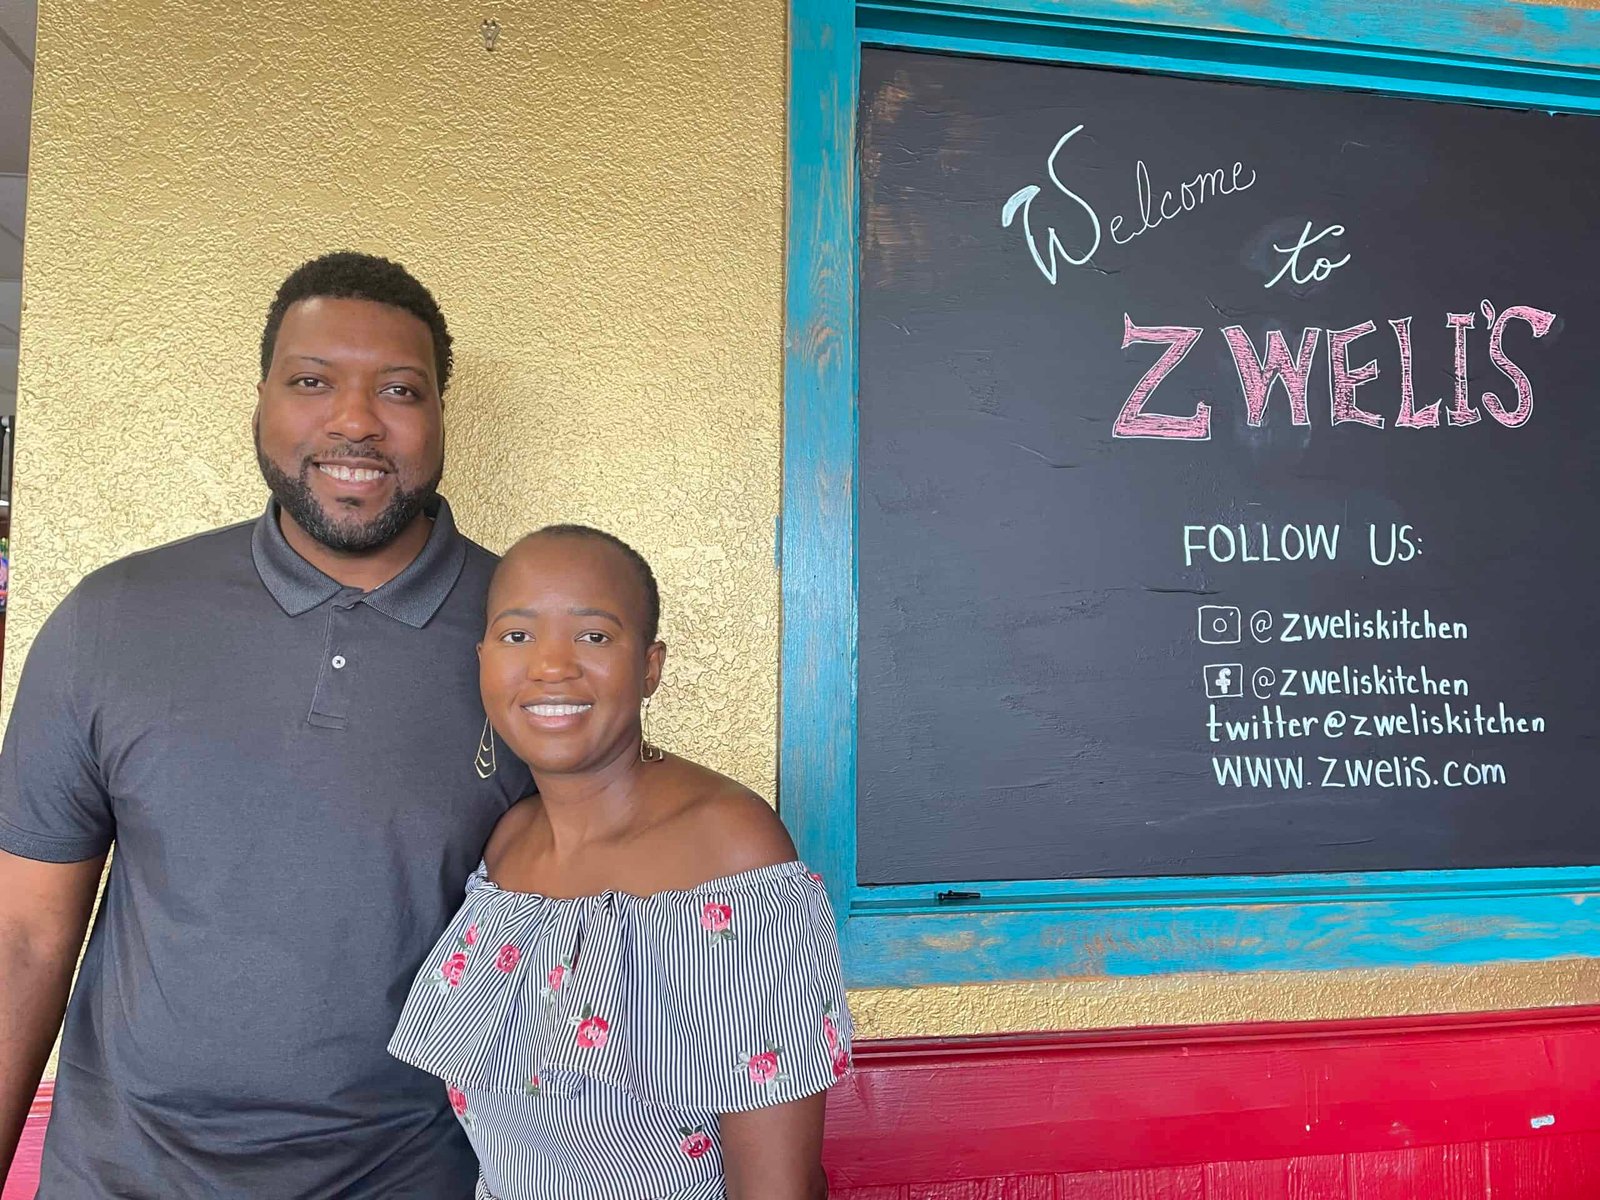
599	207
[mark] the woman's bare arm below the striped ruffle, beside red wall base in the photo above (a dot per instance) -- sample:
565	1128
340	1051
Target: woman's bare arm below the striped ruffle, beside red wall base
775	1153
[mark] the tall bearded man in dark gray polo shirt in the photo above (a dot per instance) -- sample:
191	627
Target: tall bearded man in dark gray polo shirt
279	727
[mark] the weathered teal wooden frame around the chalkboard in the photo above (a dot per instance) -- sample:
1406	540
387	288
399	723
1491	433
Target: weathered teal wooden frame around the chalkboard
1482	52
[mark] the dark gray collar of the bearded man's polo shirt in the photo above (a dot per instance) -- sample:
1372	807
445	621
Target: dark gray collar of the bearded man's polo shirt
410	598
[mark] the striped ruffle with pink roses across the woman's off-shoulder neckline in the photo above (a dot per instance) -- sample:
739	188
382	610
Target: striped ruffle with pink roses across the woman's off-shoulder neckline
670	996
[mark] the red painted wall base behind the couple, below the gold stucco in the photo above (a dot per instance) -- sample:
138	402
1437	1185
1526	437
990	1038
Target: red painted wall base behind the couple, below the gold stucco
1500	1106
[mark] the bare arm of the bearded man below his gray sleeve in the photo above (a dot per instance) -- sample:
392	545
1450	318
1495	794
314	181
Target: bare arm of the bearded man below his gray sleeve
44	913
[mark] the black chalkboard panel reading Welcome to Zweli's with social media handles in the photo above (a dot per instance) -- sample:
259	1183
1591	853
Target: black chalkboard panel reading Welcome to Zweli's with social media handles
1228	478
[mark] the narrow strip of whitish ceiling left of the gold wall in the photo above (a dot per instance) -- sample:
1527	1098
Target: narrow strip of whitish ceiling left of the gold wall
18	23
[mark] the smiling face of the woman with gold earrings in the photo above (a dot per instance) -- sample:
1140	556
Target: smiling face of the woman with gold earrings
564	663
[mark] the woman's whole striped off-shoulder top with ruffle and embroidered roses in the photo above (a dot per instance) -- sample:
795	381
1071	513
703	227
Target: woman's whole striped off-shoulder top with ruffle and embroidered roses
588	1046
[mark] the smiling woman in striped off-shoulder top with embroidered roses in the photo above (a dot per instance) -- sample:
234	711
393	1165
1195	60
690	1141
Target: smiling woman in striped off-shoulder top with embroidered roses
641	998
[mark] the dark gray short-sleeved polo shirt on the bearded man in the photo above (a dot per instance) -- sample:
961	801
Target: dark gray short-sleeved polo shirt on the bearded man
287	769
